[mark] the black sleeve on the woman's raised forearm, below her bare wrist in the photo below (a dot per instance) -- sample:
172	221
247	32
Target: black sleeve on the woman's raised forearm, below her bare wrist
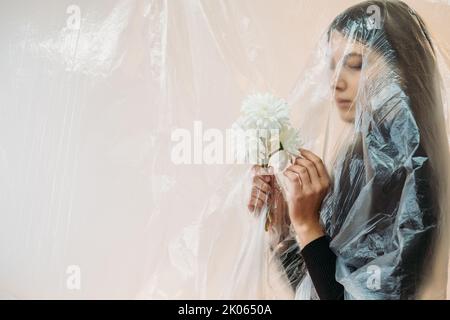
321	264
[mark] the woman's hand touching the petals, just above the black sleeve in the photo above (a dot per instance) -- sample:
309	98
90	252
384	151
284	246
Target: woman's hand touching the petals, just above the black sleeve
307	185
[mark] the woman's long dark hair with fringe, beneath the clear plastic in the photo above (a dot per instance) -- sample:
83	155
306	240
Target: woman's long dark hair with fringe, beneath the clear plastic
404	41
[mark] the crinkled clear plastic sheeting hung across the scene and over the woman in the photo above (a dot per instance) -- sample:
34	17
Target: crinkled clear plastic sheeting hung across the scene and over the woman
96	97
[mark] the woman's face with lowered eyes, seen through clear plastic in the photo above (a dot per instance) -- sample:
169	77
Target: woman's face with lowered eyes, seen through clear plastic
346	63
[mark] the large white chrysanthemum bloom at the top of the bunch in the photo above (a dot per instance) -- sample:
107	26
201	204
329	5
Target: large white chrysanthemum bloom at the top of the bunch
264	111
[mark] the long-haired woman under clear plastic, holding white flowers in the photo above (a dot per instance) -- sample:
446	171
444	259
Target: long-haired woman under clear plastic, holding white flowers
377	227
